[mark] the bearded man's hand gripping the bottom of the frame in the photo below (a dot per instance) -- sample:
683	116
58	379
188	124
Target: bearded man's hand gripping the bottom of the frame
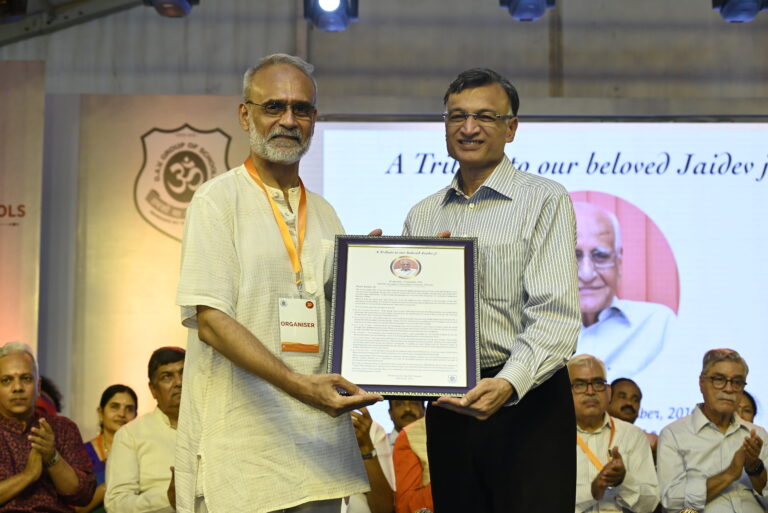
322	391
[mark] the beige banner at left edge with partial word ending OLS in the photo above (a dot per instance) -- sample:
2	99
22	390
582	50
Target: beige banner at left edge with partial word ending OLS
22	99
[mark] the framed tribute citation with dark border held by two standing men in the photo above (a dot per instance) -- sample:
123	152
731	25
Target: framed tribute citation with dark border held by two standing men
403	321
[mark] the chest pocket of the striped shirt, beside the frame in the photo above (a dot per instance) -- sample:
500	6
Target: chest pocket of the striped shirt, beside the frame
500	271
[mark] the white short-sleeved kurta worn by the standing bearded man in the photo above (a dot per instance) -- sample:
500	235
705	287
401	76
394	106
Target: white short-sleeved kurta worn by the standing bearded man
243	444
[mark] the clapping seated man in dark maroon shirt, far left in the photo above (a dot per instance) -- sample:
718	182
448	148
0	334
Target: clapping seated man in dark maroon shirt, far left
43	464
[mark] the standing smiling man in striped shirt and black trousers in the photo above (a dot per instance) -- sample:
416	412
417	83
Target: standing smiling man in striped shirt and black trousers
507	445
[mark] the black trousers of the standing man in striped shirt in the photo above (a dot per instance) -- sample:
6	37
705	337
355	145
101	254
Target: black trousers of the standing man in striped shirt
522	459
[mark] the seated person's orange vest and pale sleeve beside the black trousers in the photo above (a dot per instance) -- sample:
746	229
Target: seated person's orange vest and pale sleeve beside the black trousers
414	488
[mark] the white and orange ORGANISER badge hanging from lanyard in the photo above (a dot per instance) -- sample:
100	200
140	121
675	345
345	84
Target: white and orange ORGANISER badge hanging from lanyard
298	325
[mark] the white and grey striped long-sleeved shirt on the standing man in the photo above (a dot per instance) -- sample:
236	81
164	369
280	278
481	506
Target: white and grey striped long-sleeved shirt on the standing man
528	313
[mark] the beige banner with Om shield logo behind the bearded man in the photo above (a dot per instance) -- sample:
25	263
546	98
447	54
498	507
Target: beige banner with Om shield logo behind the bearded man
142	158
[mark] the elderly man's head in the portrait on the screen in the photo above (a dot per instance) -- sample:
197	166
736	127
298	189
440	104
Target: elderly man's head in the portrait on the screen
598	252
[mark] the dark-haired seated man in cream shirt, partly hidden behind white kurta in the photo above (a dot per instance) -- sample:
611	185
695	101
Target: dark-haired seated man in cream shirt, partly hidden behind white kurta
139	476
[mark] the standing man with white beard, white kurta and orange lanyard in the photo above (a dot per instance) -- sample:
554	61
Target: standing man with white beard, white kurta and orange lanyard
261	428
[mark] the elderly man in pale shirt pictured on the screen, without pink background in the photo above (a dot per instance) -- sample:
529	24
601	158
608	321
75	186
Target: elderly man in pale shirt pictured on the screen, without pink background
627	335
